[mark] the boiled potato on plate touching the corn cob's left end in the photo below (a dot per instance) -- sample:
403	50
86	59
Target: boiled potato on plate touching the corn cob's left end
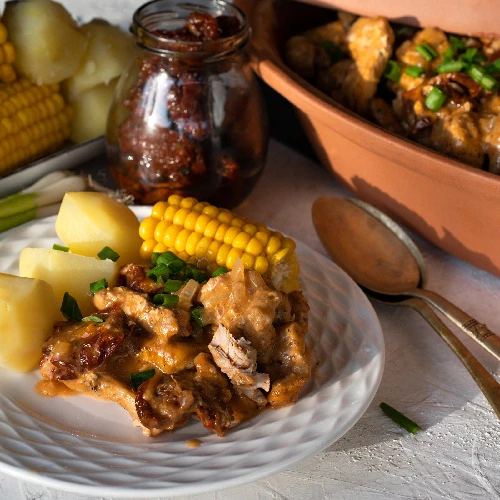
89	221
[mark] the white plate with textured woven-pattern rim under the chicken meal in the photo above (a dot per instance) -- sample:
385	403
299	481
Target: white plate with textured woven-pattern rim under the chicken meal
90	447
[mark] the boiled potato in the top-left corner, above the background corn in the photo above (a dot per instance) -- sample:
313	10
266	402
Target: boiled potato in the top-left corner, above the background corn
49	44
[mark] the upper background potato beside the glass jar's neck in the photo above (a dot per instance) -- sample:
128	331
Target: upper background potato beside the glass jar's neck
109	52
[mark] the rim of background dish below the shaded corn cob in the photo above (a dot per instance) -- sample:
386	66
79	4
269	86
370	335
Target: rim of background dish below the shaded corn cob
65	159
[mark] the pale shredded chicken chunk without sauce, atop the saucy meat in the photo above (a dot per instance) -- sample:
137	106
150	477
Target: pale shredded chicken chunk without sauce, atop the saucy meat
238	360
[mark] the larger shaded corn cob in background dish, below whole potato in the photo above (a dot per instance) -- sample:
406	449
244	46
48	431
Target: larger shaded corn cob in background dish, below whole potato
34	121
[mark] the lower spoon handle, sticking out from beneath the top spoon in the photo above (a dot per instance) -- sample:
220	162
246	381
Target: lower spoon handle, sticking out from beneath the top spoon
485	381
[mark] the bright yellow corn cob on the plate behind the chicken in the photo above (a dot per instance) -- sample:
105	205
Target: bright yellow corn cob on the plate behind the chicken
210	237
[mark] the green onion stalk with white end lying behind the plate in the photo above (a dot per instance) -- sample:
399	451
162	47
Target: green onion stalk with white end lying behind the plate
39	200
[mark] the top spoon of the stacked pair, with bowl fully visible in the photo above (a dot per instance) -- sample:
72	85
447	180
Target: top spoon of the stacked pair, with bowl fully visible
382	258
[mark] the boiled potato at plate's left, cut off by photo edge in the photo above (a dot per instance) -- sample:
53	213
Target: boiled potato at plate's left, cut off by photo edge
28	311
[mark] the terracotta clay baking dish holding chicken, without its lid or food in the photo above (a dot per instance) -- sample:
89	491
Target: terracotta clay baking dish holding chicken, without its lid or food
447	202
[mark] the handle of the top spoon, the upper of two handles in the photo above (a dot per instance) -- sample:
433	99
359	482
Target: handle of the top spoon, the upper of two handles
477	331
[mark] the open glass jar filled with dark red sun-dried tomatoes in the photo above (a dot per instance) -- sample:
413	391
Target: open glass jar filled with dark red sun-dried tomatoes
187	117
